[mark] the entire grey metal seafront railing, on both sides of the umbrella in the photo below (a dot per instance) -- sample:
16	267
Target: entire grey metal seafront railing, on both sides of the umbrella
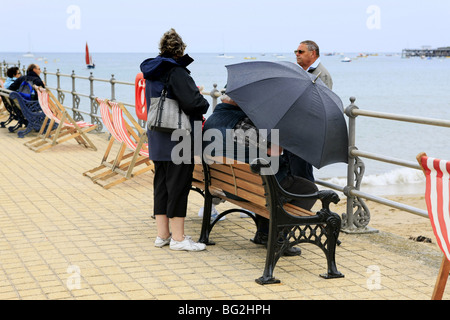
357	216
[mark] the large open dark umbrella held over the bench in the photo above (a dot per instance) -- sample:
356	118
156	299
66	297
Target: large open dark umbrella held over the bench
281	95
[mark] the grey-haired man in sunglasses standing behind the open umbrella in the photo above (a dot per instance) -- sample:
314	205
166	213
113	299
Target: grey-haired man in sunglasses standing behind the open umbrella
308	57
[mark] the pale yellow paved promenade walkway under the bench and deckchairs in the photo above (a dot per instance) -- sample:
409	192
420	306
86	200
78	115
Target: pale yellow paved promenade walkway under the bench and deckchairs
64	237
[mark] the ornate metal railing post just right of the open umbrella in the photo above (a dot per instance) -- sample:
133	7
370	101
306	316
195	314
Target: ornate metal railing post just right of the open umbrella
354	222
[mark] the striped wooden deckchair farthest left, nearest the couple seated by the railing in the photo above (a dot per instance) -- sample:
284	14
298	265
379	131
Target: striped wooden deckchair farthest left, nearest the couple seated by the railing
66	127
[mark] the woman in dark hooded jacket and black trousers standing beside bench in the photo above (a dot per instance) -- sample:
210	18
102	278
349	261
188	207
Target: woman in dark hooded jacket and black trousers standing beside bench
172	182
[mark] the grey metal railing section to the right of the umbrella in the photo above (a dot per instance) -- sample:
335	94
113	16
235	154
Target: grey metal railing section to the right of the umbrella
358	220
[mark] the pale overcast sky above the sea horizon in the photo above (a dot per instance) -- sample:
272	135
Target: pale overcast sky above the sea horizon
225	26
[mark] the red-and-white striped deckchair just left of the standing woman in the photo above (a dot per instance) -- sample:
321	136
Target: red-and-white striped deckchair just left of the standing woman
124	166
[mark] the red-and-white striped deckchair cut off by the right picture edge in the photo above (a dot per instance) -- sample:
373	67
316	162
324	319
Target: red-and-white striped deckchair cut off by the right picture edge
437	195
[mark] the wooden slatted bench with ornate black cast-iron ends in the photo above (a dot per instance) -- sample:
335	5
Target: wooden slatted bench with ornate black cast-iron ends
289	224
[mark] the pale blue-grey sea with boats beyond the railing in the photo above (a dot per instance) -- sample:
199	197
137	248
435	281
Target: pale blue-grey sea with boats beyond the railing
383	82
